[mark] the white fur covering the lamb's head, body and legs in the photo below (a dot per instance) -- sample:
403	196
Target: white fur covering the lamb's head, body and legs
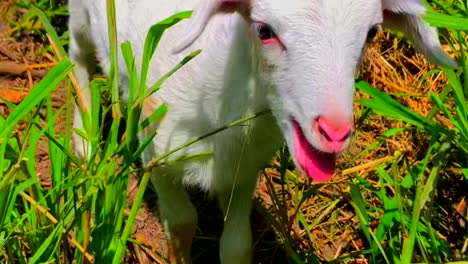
235	76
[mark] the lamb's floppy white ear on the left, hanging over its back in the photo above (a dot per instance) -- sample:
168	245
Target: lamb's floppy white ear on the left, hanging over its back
202	14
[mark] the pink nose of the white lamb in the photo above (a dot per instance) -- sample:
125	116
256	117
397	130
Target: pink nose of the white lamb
333	132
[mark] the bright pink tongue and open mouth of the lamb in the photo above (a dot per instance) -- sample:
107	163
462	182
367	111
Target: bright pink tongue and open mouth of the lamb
318	165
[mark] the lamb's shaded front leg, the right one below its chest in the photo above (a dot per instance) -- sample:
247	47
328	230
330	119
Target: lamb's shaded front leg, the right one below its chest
236	240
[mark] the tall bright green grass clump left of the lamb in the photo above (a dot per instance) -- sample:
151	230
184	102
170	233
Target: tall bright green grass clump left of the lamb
83	217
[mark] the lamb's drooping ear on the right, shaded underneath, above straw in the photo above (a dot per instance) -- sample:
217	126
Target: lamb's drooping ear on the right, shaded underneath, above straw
406	16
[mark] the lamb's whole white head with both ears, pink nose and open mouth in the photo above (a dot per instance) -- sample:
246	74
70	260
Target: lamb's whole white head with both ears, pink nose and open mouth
310	51
